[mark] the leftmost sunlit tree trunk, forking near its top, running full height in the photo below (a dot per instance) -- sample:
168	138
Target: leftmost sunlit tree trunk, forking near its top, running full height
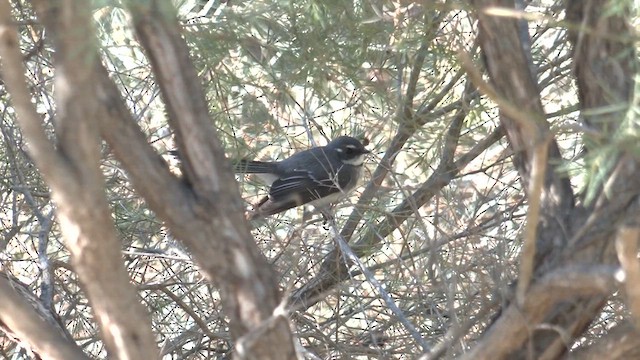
74	176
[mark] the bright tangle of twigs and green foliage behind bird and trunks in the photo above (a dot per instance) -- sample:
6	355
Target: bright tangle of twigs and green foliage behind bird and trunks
281	76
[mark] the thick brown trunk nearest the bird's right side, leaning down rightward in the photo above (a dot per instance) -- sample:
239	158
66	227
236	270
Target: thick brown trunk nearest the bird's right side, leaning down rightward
522	115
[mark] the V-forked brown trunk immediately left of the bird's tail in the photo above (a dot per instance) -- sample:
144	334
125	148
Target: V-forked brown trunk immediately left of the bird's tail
204	210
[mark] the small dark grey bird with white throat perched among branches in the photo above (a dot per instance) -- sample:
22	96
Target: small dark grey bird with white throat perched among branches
319	176
